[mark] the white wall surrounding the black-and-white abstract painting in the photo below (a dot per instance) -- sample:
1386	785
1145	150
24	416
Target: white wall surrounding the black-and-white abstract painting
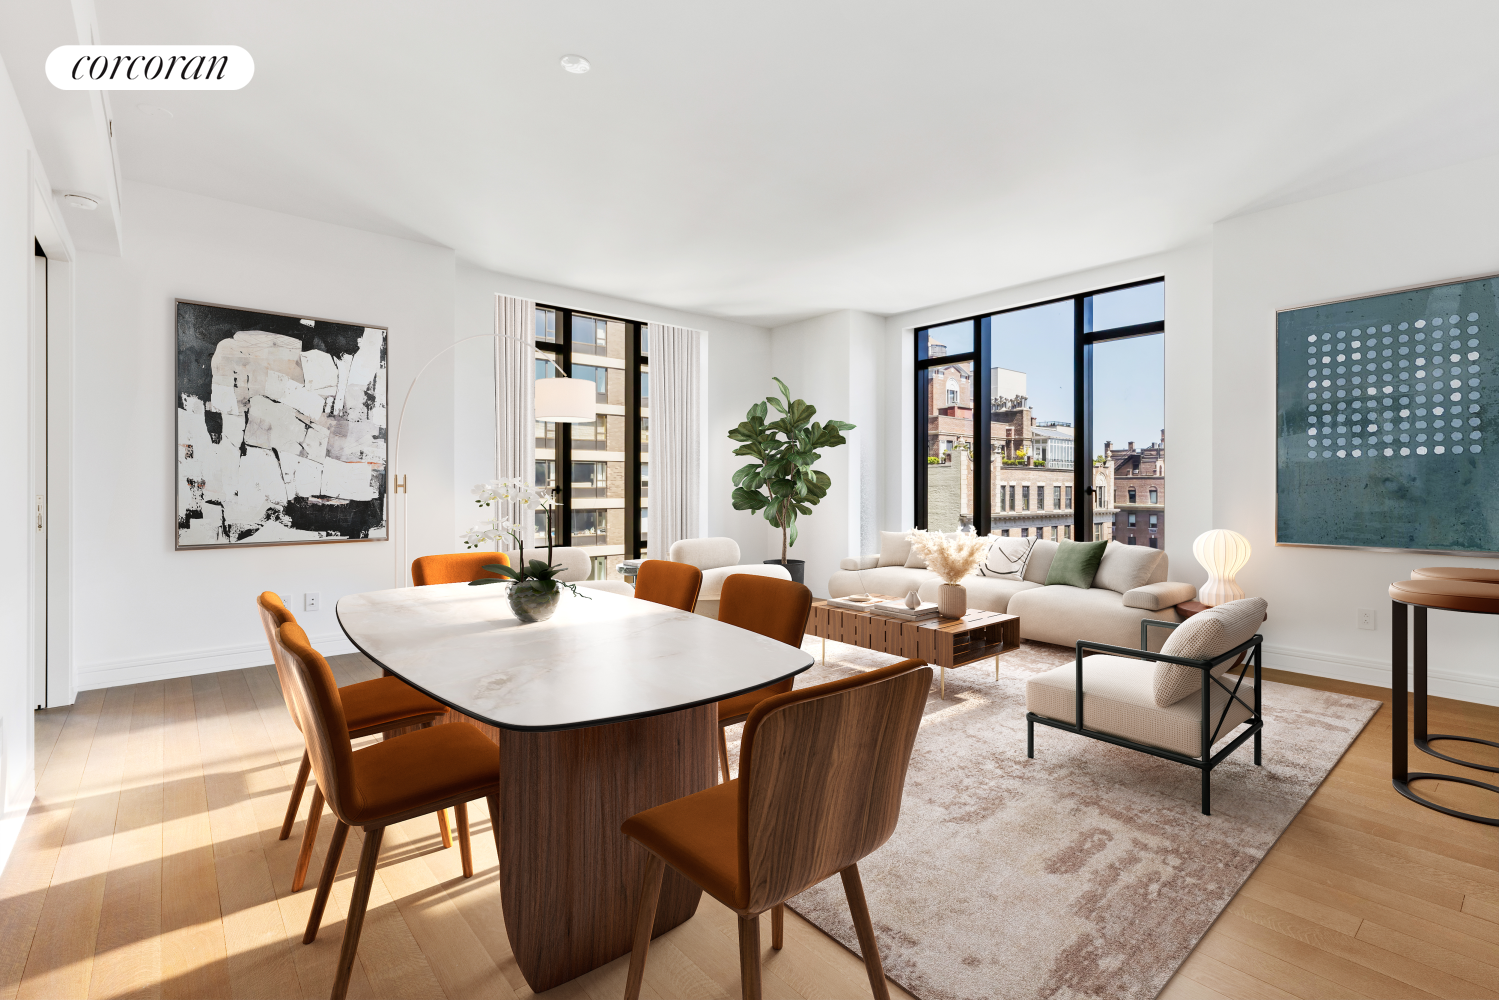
145	611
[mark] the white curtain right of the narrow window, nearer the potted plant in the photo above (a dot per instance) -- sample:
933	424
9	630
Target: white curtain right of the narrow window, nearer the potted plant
675	440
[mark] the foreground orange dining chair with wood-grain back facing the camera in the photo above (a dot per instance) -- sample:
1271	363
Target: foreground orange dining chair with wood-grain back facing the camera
819	789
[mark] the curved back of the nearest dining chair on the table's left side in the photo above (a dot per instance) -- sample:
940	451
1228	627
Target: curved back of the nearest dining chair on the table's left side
320	711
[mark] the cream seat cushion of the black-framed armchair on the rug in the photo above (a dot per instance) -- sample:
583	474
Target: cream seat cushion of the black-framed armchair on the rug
1118	699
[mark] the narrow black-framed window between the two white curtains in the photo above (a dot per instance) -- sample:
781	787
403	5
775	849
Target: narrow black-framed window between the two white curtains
596	470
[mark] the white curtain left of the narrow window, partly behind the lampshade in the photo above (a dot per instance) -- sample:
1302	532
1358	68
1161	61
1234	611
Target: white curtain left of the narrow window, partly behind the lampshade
515	392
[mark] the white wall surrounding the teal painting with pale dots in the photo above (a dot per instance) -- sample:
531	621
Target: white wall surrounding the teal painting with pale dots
1432	227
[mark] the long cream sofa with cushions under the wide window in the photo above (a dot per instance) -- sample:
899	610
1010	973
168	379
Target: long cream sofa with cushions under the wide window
1049	614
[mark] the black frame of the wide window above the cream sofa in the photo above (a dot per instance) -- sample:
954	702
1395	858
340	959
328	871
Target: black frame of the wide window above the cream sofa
1083	343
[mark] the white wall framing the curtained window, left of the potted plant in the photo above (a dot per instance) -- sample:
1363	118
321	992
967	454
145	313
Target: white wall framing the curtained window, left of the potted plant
737	361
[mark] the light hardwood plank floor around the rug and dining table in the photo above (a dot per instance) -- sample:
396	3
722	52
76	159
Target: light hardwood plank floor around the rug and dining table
149	866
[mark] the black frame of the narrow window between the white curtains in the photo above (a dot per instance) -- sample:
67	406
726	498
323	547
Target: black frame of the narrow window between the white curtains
561	353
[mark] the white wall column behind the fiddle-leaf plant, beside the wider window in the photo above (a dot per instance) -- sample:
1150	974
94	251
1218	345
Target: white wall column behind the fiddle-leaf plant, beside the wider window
834	364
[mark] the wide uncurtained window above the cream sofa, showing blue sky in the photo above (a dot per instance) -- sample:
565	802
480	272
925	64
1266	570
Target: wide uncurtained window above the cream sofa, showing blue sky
1031	421
